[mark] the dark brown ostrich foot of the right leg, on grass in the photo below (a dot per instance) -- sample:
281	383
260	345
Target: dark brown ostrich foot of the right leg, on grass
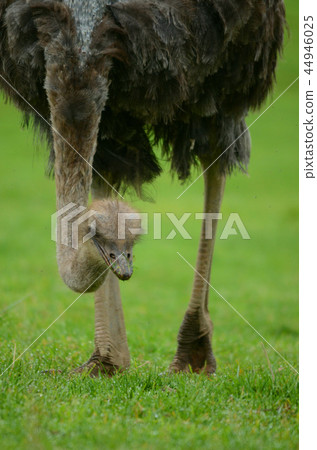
193	355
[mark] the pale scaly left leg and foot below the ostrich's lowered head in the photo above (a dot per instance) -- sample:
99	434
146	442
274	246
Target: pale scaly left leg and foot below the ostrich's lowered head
111	347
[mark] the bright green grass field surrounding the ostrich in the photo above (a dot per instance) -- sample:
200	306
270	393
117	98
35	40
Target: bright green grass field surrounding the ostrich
250	403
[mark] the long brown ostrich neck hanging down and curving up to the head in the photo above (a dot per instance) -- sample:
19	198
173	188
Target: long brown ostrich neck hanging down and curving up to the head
77	94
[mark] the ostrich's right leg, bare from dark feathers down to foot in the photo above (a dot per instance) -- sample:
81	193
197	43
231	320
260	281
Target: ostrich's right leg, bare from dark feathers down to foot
194	338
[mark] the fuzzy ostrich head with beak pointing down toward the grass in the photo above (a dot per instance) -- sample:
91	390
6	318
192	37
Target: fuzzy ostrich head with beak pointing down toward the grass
115	227
